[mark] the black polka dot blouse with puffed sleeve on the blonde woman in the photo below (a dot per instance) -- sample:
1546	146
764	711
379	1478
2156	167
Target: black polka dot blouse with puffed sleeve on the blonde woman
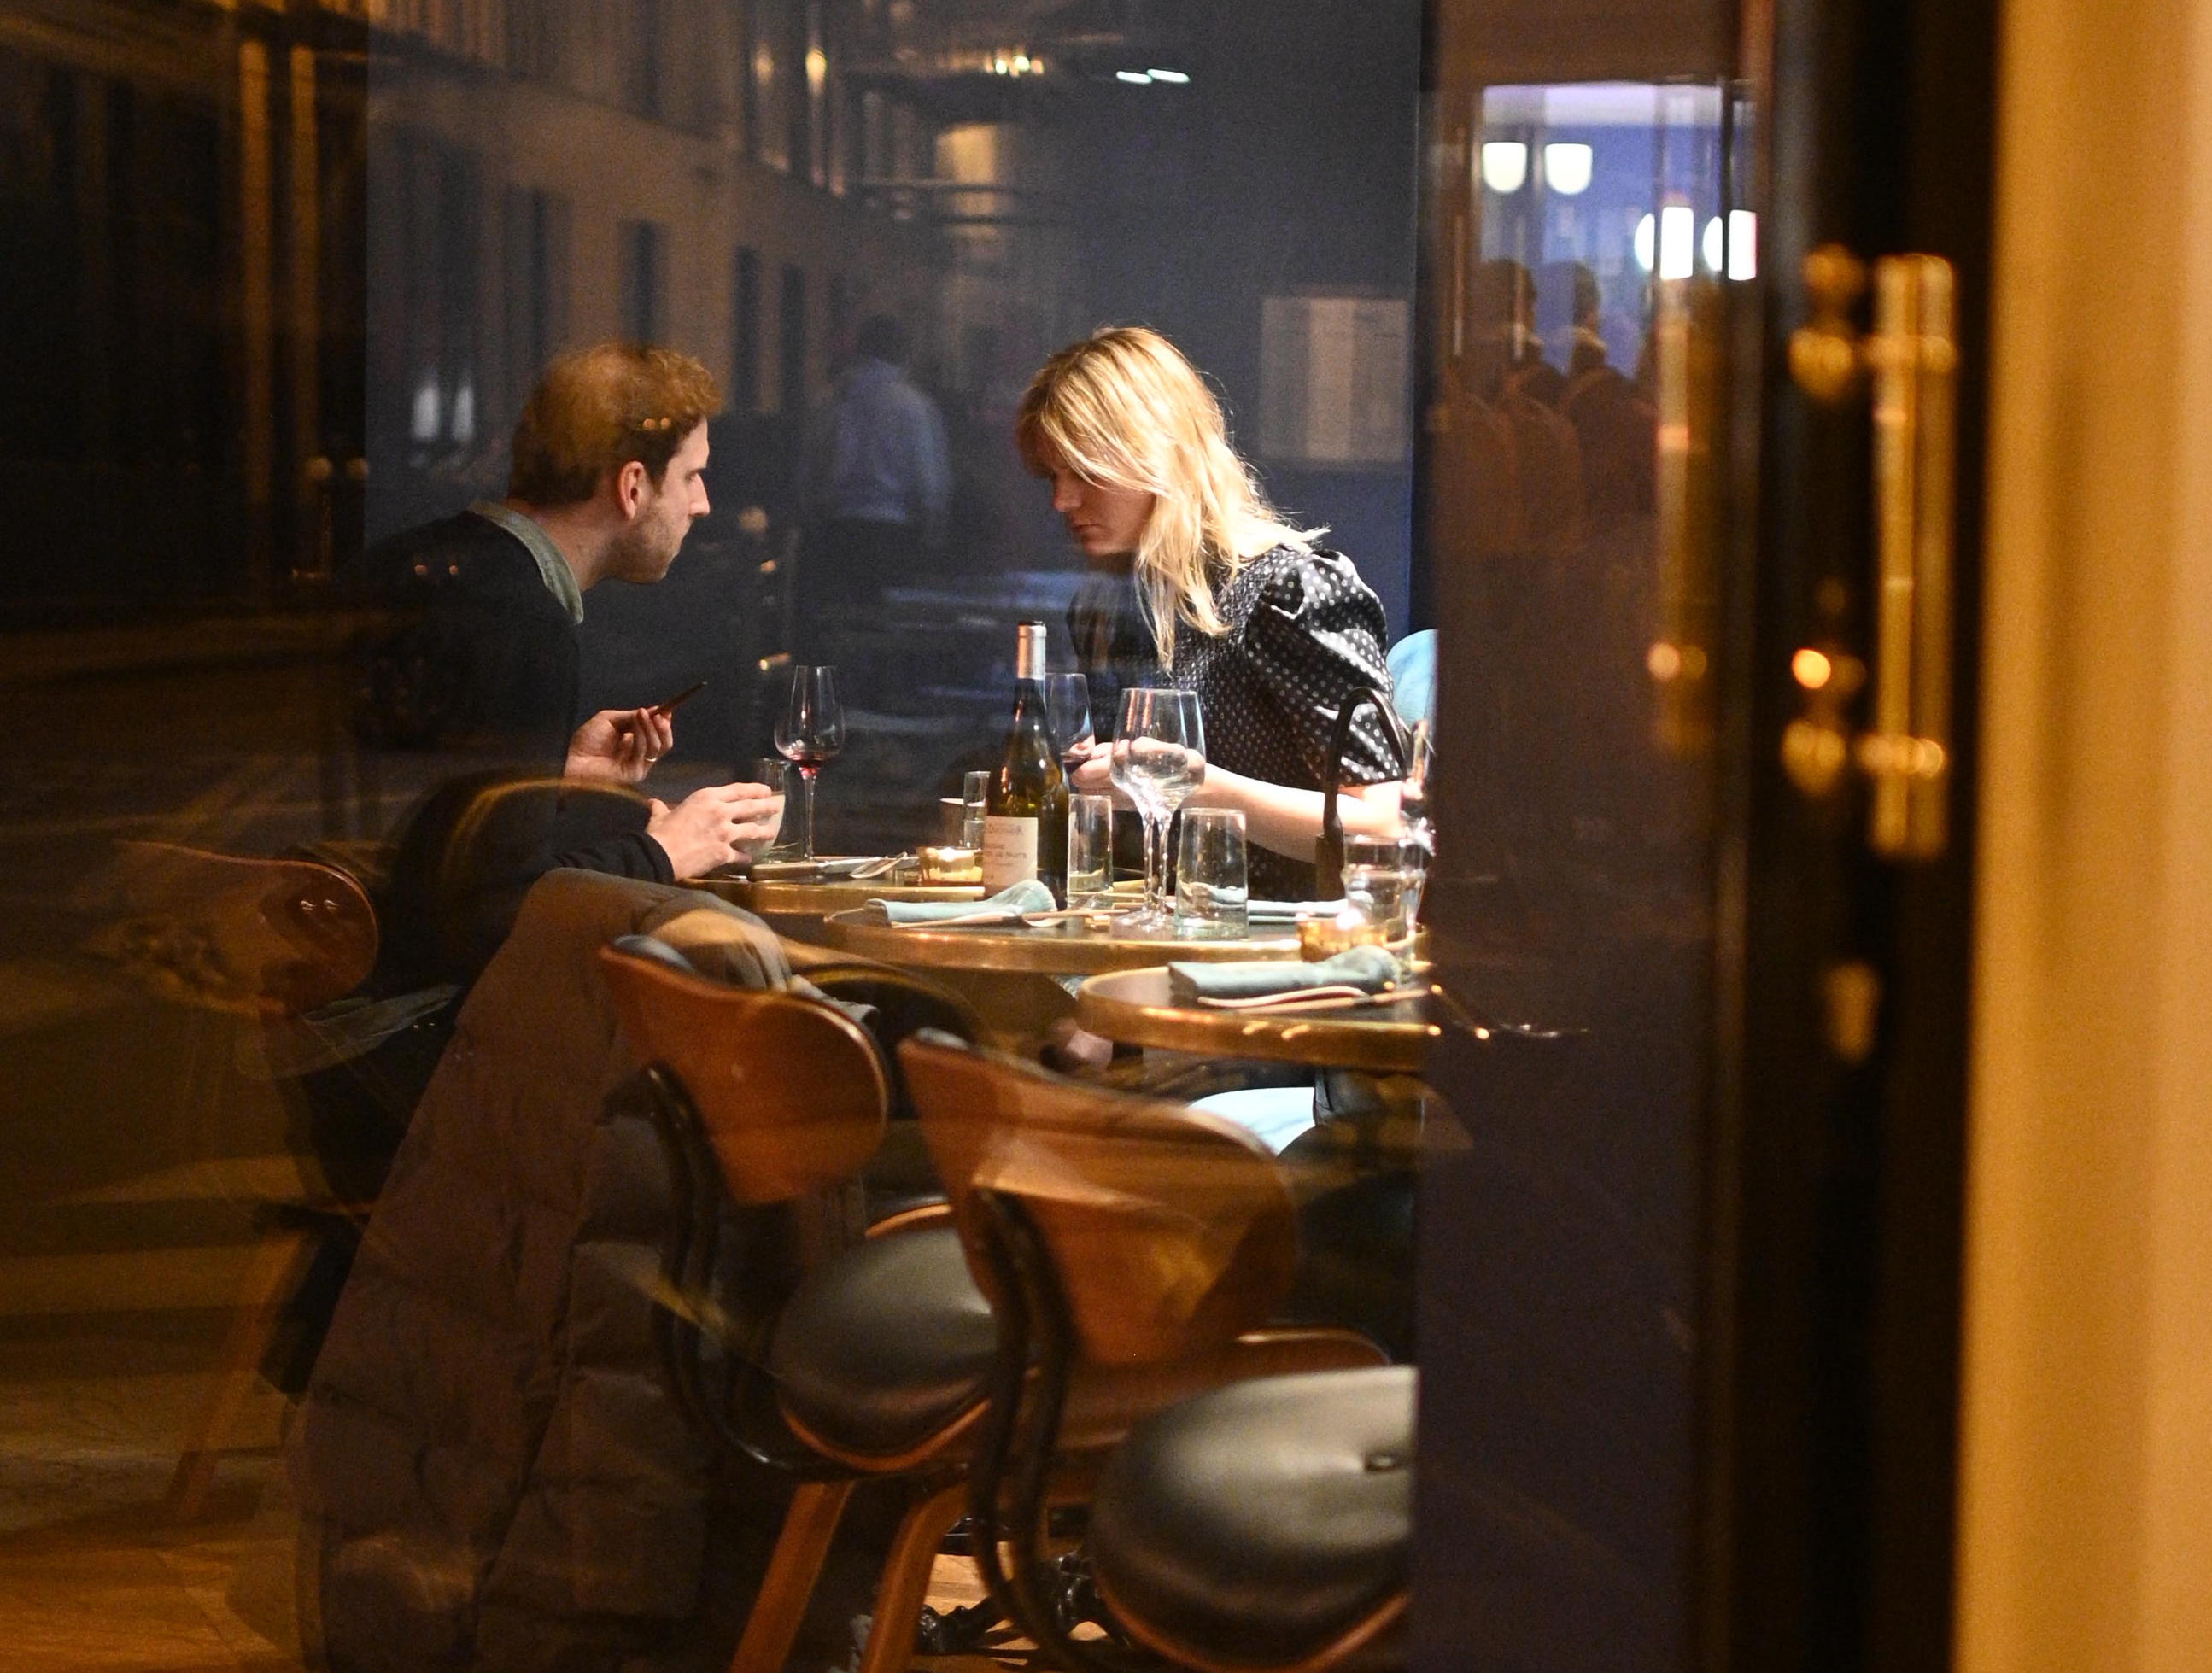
1304	630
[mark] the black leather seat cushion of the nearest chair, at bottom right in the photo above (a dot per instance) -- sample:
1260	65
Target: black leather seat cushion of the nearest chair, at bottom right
1264	1521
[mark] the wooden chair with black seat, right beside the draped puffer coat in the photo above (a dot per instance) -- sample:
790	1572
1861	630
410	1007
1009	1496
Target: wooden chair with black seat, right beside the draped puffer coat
859	1355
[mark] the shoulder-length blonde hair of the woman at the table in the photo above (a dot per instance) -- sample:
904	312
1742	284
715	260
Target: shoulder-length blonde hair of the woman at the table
1125	408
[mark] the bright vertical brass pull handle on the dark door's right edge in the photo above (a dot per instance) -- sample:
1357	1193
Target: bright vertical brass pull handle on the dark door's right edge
1912	357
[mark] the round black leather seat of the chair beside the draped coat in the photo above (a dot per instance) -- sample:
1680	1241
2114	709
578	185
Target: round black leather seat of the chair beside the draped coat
886	1344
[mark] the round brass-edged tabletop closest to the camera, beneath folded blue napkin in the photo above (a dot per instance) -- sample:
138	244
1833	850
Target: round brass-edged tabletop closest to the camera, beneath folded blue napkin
1136	1008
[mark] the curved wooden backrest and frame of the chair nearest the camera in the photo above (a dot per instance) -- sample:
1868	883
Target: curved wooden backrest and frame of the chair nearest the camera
1171	1240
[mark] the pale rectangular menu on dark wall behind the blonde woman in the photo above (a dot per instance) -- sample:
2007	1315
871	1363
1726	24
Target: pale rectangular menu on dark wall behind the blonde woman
1333	382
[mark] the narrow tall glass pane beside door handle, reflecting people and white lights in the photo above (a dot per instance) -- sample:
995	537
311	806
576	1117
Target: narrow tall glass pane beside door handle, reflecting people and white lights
1585	240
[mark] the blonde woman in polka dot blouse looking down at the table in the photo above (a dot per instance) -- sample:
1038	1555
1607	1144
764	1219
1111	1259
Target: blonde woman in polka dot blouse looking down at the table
1266	625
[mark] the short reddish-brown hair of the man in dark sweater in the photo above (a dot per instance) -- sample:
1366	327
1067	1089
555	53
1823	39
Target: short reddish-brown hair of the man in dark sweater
596	411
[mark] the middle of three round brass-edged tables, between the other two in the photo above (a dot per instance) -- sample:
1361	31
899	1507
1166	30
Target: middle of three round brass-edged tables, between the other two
1021	977
